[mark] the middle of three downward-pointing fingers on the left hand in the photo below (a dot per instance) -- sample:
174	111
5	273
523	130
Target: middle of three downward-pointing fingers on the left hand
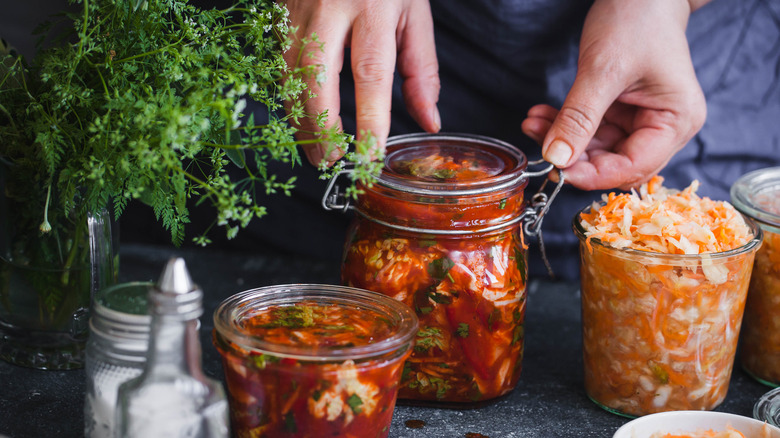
373	62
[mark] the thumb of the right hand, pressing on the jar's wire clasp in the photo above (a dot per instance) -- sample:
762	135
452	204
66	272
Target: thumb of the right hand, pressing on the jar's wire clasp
576	123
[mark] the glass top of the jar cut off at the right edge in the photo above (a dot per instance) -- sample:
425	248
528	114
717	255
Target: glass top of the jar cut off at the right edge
757	194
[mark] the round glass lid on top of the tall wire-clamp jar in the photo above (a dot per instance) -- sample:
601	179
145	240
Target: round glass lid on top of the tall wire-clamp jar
451	164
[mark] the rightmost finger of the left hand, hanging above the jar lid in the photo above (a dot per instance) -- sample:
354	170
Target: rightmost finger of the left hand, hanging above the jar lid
419	67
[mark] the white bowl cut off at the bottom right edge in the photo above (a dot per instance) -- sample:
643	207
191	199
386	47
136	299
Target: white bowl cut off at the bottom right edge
693	421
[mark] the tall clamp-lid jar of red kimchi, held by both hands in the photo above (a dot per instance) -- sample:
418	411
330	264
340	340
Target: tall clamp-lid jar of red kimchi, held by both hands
442	231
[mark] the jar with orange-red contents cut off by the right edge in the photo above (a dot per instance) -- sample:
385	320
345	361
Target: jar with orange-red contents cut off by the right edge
757	194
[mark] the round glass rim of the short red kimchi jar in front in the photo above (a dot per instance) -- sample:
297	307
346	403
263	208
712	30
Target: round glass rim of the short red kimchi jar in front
243	303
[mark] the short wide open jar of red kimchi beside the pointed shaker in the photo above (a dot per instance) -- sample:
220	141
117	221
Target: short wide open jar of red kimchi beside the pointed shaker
307	360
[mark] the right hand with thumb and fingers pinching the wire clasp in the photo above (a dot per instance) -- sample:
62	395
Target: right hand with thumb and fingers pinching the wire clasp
634	103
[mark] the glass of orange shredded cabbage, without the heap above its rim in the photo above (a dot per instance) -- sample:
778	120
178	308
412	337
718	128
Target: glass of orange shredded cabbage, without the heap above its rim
660	330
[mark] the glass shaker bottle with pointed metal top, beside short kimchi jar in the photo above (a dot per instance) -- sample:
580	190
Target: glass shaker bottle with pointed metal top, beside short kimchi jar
172	397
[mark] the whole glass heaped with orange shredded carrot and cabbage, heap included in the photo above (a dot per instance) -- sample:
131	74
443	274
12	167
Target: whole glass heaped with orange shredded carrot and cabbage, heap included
664	277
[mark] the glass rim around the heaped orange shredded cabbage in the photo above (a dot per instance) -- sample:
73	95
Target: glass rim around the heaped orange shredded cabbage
666	258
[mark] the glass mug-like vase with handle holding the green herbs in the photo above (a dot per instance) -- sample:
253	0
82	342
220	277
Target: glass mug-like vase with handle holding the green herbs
47	280
